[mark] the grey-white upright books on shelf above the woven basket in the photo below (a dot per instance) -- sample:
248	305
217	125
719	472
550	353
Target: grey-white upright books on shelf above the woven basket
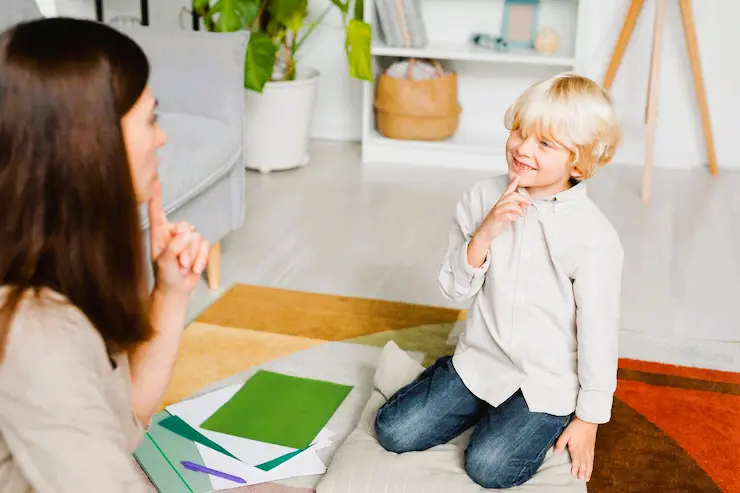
398	16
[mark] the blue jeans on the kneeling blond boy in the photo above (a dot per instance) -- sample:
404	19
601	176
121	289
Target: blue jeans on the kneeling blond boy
507	446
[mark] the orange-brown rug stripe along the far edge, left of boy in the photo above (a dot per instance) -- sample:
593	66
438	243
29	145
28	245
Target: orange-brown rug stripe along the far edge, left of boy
318	316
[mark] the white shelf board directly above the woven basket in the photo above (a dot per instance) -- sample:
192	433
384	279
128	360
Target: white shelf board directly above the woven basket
469	52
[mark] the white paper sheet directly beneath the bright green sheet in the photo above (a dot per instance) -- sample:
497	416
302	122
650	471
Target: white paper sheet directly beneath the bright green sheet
195	411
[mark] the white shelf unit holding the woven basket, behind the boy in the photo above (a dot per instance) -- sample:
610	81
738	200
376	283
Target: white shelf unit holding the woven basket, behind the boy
488	81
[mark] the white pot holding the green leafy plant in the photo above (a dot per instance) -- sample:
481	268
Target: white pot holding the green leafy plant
277	123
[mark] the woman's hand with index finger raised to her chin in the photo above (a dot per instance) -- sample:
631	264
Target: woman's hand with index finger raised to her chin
179	254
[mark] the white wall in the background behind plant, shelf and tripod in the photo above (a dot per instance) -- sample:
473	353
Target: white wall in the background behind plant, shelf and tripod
679	138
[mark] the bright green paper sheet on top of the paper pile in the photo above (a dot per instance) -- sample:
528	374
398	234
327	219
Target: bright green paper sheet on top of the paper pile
279	409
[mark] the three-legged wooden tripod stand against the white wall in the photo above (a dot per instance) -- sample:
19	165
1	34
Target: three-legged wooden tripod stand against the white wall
651	111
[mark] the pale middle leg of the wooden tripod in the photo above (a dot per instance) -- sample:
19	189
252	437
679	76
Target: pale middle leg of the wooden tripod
652	102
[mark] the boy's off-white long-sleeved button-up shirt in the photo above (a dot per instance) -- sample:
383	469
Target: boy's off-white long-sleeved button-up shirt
545	311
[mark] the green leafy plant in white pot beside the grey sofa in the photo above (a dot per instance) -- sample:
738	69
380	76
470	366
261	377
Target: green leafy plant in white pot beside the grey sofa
279	92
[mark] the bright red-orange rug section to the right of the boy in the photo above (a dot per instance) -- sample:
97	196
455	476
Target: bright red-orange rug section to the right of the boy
704	424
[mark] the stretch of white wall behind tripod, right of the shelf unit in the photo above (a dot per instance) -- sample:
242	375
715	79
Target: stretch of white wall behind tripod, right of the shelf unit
679	141
